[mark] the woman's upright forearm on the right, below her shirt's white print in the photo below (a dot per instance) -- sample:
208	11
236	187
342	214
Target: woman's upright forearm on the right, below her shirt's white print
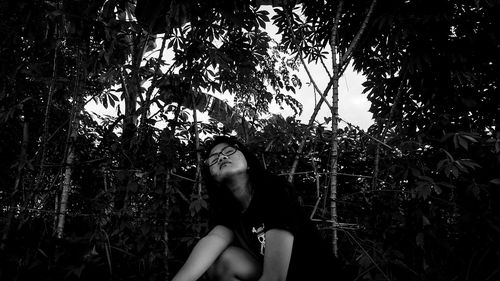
277	256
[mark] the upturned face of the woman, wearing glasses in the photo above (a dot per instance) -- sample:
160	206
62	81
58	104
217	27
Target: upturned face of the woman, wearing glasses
227	165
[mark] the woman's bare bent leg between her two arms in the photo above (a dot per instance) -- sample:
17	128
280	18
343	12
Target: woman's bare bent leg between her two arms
235	264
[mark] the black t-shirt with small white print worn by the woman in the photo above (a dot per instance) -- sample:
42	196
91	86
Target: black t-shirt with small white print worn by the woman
274	207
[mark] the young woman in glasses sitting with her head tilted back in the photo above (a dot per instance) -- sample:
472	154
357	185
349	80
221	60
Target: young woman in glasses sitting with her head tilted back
259	230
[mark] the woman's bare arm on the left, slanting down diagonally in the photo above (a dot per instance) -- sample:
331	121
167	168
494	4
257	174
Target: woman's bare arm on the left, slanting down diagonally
205	253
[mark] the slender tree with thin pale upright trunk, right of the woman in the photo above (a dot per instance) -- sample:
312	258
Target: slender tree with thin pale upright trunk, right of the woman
325	23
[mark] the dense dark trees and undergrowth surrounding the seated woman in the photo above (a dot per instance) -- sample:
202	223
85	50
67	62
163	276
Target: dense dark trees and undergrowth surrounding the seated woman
88	197
